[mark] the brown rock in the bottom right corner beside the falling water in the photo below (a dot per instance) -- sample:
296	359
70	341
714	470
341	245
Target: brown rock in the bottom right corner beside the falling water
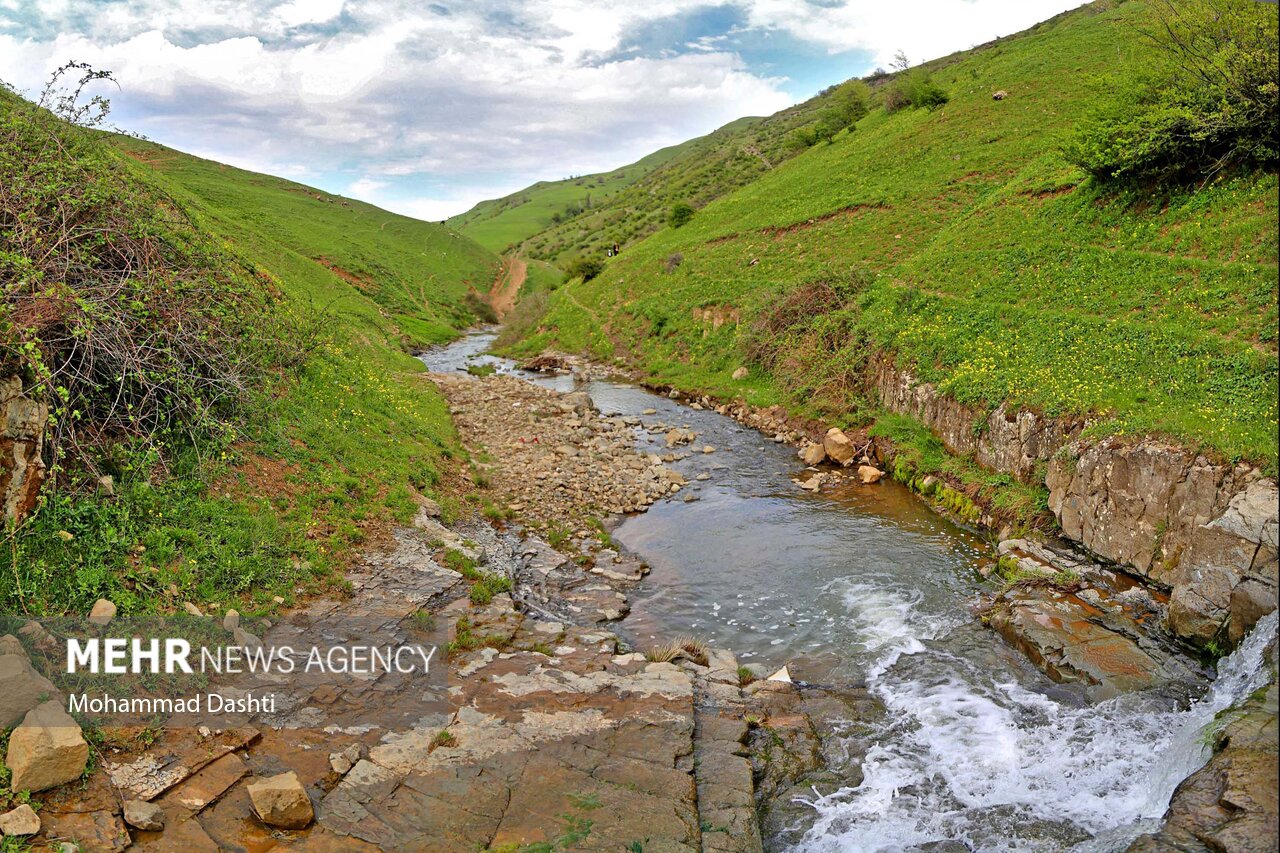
1231	804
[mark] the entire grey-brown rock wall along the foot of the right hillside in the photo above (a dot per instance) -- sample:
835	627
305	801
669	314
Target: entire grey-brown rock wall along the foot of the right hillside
1204	530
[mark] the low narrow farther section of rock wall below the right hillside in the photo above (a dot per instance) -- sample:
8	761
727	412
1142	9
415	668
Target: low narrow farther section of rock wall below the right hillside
1018	441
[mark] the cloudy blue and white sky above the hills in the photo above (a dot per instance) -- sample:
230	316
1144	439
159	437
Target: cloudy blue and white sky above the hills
427	108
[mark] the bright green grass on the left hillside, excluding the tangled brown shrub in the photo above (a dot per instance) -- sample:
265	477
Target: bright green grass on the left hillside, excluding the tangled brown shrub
331	453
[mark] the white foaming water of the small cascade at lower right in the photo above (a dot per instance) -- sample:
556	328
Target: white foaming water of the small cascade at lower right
970	756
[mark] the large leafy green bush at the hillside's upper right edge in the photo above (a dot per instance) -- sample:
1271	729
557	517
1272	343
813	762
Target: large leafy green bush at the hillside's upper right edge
1210	106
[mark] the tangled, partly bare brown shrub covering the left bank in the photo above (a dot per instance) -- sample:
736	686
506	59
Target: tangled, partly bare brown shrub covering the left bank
115	308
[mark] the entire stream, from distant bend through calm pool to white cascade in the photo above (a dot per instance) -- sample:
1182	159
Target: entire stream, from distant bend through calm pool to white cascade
868	586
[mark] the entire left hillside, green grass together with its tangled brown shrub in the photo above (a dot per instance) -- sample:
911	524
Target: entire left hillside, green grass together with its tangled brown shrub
313	300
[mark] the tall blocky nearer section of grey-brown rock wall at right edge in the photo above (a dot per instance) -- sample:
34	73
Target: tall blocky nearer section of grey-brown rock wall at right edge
1205	530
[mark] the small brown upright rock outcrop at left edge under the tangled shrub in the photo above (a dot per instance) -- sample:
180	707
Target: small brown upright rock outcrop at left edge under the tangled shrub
22	444
